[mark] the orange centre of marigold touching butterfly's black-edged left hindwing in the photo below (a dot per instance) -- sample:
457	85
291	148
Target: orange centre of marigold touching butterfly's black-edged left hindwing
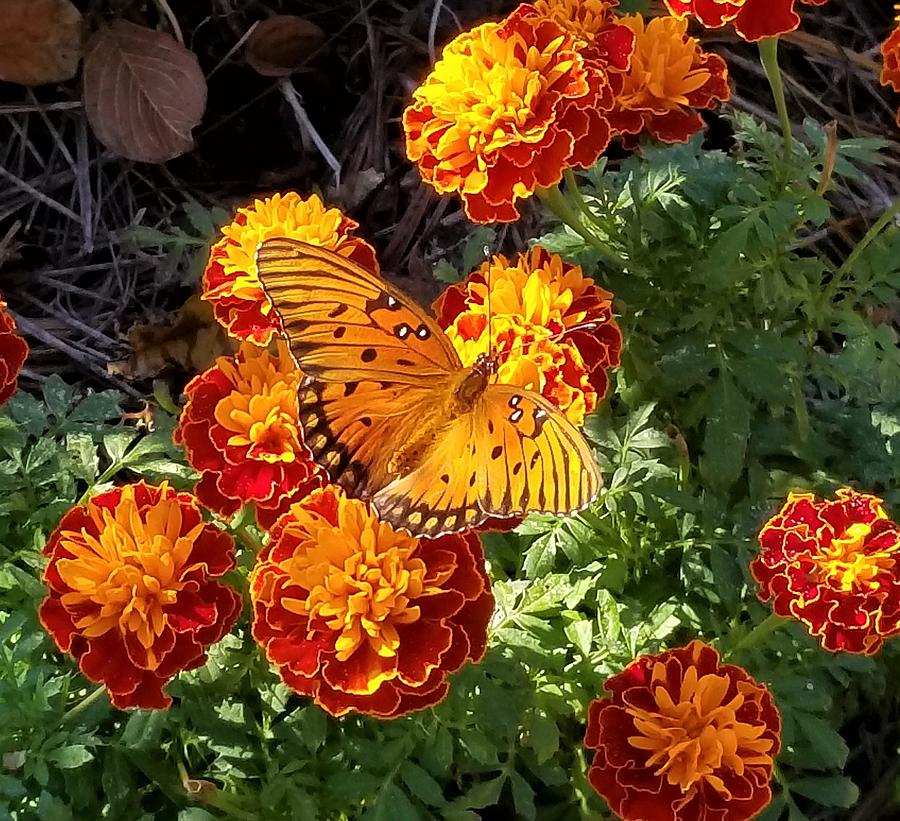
261	413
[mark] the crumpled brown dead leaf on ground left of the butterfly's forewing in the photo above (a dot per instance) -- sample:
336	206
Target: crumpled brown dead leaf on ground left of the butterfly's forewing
192	342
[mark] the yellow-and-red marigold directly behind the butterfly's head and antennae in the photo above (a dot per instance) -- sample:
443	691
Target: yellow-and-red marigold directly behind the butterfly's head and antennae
551	326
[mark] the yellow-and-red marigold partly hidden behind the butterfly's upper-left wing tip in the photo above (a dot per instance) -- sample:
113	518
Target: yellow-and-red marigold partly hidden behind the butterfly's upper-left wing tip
230	281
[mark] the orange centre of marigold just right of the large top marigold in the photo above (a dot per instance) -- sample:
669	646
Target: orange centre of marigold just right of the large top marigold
662	73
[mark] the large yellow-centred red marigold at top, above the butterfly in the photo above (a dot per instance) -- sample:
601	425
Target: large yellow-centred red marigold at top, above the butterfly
507	108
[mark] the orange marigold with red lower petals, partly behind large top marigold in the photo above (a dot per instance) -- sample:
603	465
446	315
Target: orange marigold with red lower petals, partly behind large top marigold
670	77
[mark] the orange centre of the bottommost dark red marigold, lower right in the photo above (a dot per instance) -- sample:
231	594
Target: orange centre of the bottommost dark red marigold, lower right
690	740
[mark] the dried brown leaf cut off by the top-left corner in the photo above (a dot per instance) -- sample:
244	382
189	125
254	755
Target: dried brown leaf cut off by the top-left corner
40	41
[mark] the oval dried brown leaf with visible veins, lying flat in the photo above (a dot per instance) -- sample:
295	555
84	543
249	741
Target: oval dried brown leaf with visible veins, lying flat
143	92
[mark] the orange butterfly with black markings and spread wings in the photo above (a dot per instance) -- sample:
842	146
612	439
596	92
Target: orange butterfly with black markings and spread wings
395	418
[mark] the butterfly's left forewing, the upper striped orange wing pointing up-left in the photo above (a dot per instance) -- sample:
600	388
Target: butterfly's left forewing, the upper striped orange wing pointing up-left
344	323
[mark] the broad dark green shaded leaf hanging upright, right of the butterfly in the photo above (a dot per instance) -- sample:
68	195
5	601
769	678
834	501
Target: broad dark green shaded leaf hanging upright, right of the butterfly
726	434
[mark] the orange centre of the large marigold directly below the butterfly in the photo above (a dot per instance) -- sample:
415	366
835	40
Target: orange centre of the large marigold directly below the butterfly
362	578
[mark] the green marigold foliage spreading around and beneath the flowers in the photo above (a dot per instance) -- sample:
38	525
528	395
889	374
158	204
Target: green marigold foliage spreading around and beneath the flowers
751	367
